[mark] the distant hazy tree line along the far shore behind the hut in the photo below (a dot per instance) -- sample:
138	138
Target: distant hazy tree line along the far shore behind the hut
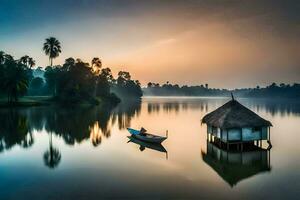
272	90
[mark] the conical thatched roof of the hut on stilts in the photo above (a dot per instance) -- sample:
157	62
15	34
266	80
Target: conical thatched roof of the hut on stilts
234	115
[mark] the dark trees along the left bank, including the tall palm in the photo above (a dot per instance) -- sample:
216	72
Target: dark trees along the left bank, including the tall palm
74	81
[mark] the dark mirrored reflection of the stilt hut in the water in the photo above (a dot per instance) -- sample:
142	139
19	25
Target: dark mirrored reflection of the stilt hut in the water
235	166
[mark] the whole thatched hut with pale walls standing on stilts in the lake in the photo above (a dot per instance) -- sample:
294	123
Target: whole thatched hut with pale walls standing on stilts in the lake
233	123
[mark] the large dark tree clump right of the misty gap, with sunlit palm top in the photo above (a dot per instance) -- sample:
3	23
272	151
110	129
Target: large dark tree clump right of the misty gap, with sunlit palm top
77	81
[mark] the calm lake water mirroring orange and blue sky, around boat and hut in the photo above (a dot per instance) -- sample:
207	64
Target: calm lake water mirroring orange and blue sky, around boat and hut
85	153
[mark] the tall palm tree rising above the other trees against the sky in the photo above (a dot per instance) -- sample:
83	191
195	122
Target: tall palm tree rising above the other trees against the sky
52	48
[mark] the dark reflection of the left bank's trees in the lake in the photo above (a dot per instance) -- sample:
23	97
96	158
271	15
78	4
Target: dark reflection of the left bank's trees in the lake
73	125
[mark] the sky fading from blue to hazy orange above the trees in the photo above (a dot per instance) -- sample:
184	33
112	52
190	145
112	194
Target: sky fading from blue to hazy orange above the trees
225	43
